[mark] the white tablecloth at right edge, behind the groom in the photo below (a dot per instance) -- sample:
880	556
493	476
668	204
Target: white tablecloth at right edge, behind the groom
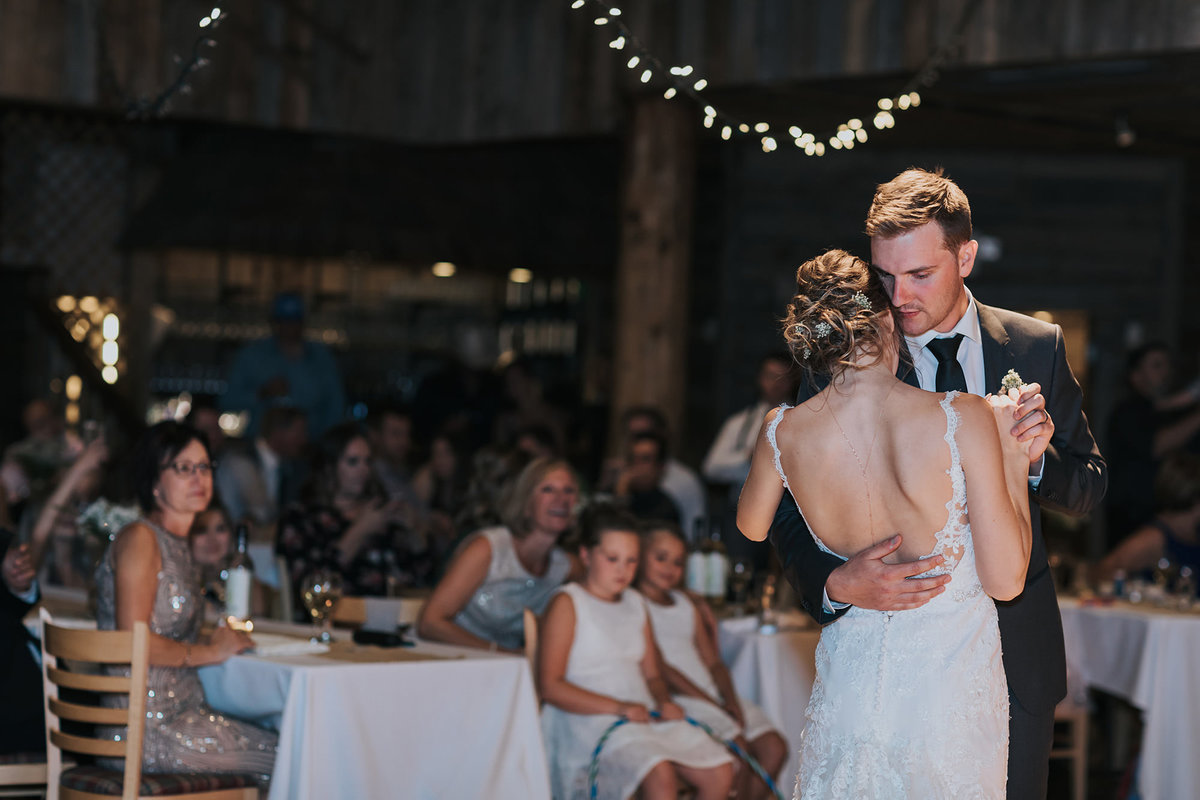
1149	658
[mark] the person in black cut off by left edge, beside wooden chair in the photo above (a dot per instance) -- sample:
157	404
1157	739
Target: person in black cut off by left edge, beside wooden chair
21	677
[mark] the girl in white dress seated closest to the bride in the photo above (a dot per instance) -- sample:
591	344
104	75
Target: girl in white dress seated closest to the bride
695	673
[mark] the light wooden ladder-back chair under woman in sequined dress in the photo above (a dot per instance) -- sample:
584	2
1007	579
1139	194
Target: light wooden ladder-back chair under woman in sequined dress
88	652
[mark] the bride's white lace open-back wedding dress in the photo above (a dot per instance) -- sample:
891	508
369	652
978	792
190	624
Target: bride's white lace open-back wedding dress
913	703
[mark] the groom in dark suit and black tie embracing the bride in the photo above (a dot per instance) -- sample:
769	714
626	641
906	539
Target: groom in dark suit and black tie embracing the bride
920	225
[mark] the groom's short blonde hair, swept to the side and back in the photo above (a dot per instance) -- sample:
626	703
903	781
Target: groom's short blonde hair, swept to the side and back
915	199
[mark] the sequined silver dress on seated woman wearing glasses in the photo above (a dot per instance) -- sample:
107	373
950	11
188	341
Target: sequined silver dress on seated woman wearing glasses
183	735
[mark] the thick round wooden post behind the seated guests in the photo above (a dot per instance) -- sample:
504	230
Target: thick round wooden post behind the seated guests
658	201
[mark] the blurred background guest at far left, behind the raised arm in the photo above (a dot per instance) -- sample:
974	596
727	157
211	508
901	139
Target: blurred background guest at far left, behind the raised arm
32	467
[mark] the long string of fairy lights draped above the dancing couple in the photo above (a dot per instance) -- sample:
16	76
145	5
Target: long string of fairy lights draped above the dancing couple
685	82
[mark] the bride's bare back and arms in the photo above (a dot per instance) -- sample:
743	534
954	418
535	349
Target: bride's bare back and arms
897	436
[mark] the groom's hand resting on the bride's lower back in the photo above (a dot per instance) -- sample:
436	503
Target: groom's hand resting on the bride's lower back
867	582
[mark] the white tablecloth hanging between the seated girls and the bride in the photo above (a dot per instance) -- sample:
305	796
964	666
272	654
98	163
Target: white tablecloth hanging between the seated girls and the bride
777	672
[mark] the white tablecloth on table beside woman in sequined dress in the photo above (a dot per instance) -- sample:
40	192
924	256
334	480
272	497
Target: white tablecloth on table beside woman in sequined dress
423	730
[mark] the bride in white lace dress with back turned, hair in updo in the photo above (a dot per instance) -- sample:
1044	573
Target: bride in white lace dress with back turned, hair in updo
910	703
